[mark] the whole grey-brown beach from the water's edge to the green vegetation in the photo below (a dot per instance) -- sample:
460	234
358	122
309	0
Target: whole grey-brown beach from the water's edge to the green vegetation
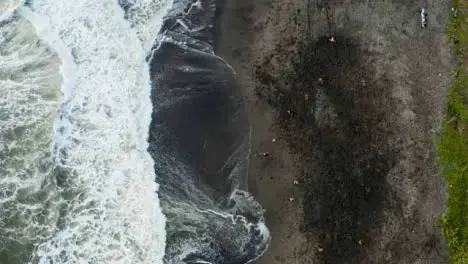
351	119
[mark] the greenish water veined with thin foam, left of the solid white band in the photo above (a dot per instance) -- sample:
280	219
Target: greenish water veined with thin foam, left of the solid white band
29	87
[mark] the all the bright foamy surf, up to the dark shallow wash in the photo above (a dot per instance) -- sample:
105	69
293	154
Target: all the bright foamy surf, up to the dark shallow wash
78	184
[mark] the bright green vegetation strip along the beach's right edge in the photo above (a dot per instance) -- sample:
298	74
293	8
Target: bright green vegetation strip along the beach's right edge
452	145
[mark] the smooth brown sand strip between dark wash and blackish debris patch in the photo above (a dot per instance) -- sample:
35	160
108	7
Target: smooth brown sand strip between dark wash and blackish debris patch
271	177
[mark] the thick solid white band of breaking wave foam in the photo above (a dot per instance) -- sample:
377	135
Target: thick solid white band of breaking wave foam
102	135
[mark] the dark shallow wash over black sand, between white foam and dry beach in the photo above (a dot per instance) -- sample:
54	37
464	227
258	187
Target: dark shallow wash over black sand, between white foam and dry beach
200	141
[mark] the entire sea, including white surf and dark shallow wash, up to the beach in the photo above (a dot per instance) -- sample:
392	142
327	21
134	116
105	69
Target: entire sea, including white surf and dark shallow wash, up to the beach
95	166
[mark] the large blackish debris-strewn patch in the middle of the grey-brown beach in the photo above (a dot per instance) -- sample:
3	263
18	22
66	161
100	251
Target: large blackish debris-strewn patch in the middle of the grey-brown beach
335	114
